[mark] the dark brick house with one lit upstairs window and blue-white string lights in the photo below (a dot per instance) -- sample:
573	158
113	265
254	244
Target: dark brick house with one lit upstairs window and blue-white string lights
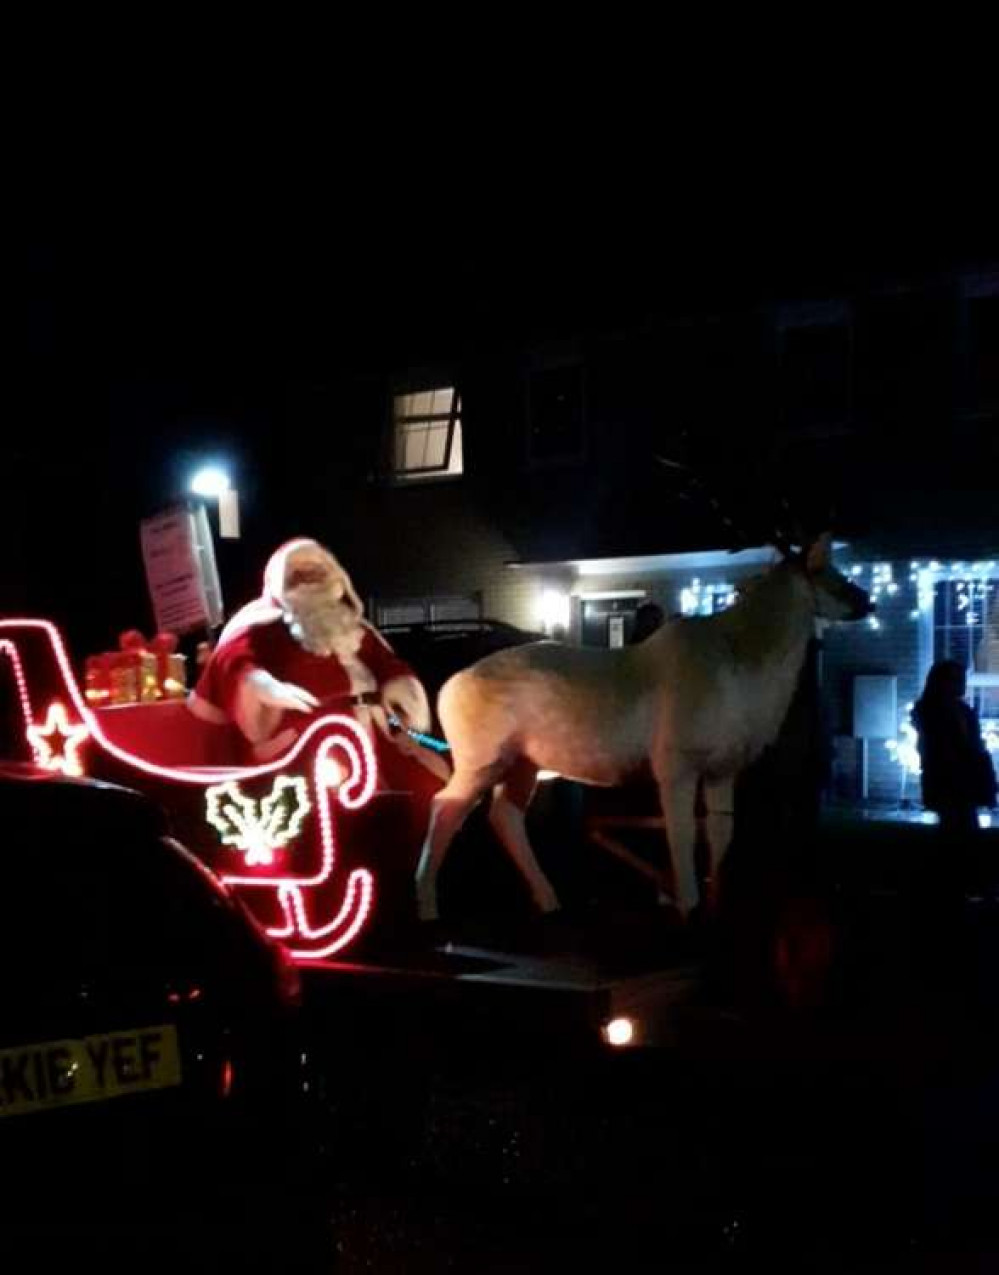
524	480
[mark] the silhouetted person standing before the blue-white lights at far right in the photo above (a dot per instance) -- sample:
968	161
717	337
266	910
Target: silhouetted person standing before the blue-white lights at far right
959	777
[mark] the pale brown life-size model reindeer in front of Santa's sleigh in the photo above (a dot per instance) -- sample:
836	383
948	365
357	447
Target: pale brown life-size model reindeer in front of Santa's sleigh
696	702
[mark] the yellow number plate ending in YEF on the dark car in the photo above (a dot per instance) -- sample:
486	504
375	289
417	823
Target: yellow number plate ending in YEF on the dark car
63	1073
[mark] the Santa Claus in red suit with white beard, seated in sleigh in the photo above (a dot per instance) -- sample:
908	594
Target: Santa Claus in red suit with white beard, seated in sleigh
304	647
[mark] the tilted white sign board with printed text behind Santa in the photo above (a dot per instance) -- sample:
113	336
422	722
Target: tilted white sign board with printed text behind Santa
180	571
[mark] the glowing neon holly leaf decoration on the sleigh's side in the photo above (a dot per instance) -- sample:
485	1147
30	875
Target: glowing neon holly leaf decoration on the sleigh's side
259	828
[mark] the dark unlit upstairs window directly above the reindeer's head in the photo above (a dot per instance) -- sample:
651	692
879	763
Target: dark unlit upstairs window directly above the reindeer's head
815	350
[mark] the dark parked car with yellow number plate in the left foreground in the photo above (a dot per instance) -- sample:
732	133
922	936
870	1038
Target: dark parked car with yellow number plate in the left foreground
150	1033
